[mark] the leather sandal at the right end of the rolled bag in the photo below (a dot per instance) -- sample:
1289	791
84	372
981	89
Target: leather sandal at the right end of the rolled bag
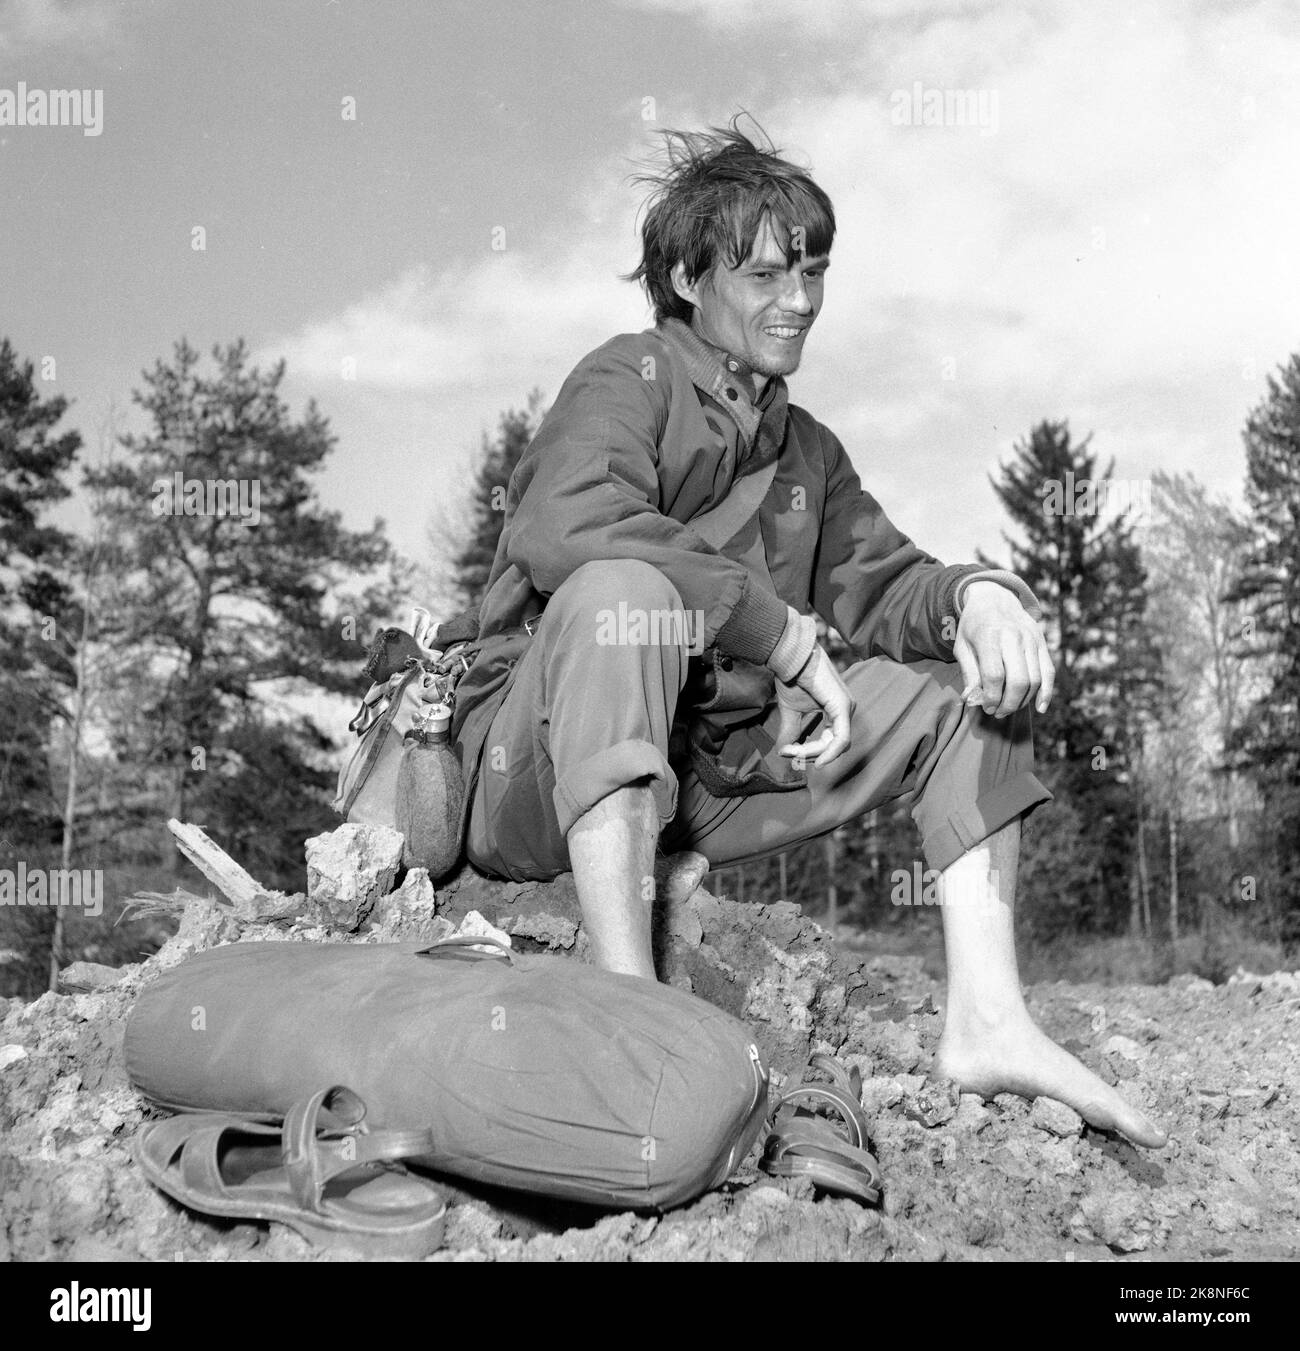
803	1144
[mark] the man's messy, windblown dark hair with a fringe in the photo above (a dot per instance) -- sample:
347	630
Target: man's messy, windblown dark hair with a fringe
709	203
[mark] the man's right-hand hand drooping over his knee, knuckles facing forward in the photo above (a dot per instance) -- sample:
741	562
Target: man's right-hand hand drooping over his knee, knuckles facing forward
1002	653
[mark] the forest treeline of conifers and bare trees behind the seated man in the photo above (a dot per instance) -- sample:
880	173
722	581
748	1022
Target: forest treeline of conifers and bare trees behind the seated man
174	657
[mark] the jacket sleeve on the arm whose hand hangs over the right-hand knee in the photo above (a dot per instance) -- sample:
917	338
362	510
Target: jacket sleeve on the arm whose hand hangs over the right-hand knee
884	595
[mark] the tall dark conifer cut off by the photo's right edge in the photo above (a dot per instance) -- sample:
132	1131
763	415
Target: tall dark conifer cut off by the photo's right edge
1270	738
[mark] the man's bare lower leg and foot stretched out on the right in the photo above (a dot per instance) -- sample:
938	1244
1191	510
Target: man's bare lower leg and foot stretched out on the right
990	1042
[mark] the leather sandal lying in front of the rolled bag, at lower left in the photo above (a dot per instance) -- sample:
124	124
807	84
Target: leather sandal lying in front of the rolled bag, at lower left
324	1173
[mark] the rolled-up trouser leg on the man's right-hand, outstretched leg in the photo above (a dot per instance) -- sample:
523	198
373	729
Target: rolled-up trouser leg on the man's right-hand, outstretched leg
964	773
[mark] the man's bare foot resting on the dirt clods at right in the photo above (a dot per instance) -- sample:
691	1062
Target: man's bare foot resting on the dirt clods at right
1013	1056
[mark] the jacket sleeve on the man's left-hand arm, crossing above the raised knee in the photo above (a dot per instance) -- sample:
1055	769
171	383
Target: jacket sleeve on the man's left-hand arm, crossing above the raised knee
587	490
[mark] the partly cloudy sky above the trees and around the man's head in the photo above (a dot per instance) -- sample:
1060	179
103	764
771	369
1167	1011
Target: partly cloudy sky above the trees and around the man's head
1110	238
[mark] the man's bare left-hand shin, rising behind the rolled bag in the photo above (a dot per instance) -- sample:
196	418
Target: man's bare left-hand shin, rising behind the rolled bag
611	850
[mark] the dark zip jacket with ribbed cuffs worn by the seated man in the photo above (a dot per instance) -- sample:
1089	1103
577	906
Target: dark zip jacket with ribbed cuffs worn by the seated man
649	432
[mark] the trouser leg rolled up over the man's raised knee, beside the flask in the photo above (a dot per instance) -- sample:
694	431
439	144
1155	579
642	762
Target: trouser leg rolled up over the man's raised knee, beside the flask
590	713
